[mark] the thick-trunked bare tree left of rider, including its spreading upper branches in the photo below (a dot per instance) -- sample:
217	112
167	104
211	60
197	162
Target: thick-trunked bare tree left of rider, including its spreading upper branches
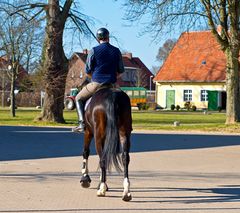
54	60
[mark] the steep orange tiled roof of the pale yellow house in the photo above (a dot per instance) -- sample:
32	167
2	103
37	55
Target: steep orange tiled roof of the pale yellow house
196	57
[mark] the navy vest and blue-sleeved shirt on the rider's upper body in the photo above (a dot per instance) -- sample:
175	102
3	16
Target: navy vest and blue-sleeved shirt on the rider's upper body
104	62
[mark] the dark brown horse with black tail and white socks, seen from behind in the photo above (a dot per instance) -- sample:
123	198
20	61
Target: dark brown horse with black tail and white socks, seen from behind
108	119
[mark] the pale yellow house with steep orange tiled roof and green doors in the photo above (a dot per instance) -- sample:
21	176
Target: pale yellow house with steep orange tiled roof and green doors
194	69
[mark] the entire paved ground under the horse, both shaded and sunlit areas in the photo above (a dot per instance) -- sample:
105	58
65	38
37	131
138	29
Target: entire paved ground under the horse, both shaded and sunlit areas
40	170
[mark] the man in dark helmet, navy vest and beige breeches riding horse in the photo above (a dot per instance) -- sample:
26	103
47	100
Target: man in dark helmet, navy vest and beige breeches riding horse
104	64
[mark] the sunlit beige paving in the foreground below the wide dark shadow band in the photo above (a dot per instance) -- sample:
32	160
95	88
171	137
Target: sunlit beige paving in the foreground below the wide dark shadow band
193	180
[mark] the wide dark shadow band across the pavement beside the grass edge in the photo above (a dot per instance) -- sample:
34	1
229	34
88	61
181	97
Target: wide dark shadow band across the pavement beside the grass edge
19	143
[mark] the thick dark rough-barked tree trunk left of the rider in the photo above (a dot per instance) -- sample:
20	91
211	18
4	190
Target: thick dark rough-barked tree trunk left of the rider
55	66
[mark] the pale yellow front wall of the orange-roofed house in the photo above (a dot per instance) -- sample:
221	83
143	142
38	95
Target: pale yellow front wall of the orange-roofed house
196	88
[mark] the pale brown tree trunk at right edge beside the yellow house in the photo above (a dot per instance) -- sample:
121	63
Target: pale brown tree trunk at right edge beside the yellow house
232	84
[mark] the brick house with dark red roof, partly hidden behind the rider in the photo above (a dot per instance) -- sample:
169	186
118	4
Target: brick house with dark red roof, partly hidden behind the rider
136	73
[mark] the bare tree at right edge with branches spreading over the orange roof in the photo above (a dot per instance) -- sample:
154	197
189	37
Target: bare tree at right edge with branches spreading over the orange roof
195	14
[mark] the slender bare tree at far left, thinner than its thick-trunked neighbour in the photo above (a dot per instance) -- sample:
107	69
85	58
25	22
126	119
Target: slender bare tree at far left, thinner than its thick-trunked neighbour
17	38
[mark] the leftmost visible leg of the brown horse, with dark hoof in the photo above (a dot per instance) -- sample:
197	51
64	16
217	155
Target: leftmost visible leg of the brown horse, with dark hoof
85	179
